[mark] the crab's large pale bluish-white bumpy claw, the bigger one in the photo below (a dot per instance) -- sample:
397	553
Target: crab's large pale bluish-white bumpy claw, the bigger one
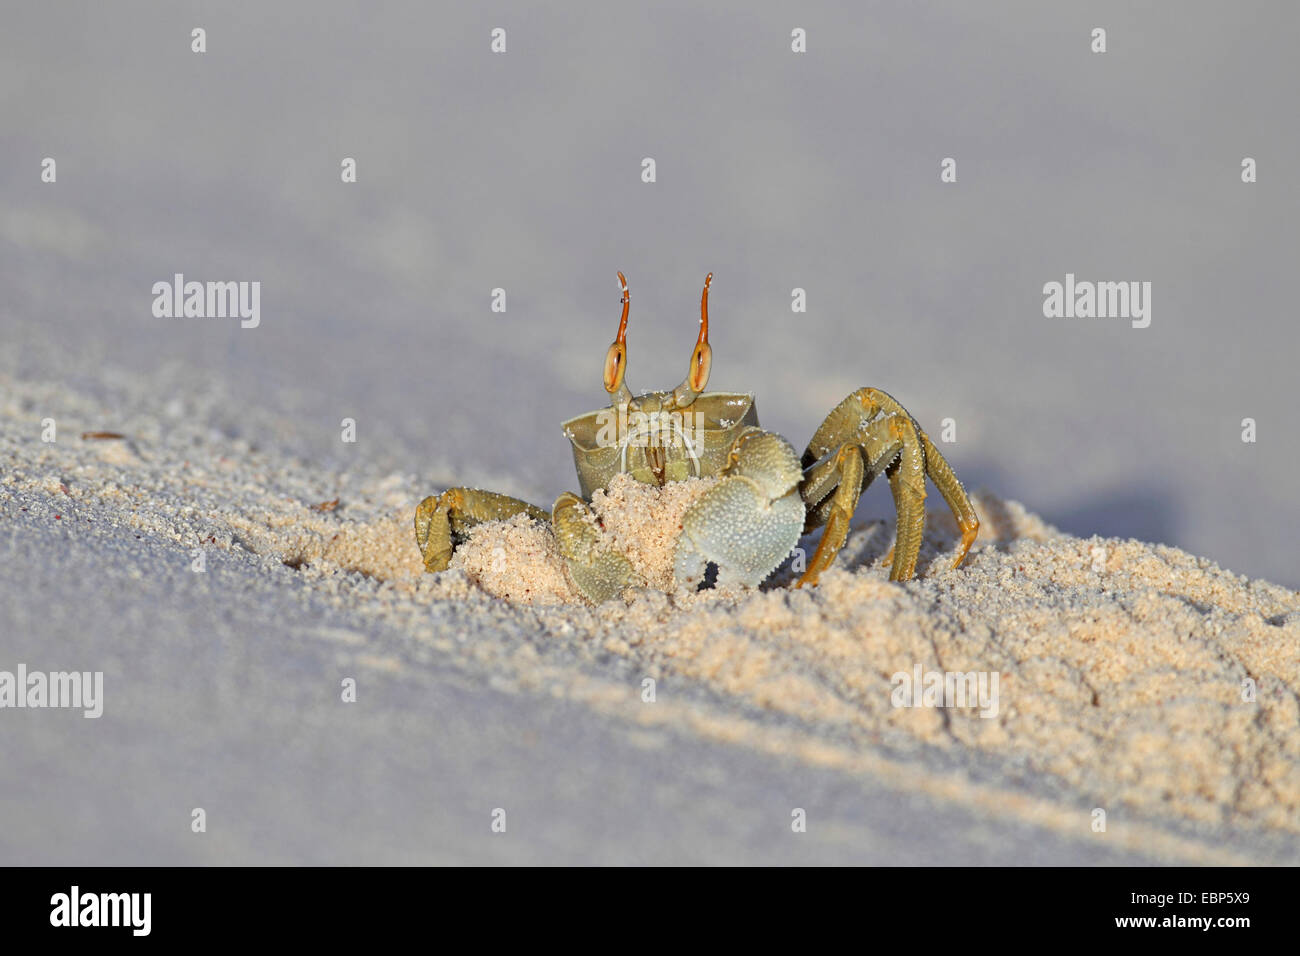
751	522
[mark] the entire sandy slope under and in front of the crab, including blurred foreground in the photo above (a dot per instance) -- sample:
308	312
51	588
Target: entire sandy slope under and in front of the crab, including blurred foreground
489	686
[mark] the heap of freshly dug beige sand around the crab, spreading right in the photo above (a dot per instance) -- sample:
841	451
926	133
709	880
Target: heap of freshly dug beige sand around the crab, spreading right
1138	674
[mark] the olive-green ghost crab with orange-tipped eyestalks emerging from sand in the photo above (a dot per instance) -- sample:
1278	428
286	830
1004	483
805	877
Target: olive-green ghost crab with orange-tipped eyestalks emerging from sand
766	498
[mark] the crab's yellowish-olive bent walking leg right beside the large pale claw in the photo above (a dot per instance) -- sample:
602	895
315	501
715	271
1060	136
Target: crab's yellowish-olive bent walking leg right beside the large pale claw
833	487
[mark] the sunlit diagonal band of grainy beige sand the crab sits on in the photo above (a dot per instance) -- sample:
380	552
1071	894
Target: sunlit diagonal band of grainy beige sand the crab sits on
1121	664
